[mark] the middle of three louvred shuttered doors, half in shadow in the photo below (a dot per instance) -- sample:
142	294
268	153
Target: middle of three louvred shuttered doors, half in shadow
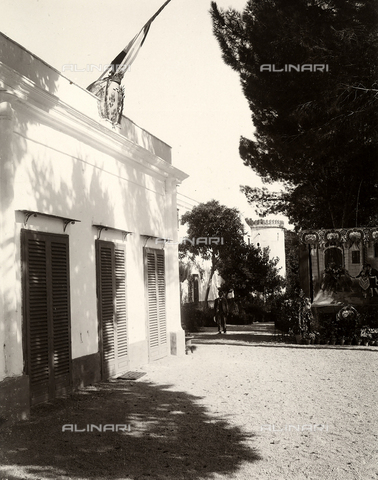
111	281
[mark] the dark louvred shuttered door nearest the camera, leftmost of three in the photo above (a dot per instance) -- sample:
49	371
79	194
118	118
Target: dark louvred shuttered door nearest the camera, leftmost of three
45	262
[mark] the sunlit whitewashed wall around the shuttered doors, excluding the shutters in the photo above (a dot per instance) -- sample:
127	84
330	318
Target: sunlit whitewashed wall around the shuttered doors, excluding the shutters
57	157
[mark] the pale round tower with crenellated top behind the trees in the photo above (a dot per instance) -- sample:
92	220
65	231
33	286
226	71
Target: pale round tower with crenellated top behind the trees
269	233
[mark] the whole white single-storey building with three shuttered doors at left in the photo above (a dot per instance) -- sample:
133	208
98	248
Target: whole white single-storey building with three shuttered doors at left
86	291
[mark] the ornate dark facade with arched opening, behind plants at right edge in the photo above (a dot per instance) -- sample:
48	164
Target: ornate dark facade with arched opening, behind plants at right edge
340	266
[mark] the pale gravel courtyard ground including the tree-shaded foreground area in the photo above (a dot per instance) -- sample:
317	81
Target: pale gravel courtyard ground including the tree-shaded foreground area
240	406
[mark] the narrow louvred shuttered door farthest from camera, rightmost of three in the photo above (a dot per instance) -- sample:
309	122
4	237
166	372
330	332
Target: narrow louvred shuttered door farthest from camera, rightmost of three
156	304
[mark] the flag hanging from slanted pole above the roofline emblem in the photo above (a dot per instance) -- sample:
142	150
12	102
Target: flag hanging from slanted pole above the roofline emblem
124	59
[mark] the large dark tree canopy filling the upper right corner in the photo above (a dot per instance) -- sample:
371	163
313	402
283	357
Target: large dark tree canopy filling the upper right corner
315	131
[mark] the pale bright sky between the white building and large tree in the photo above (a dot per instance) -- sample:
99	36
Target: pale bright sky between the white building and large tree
178	88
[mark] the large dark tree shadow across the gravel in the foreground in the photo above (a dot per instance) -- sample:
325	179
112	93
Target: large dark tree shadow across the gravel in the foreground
171	436
